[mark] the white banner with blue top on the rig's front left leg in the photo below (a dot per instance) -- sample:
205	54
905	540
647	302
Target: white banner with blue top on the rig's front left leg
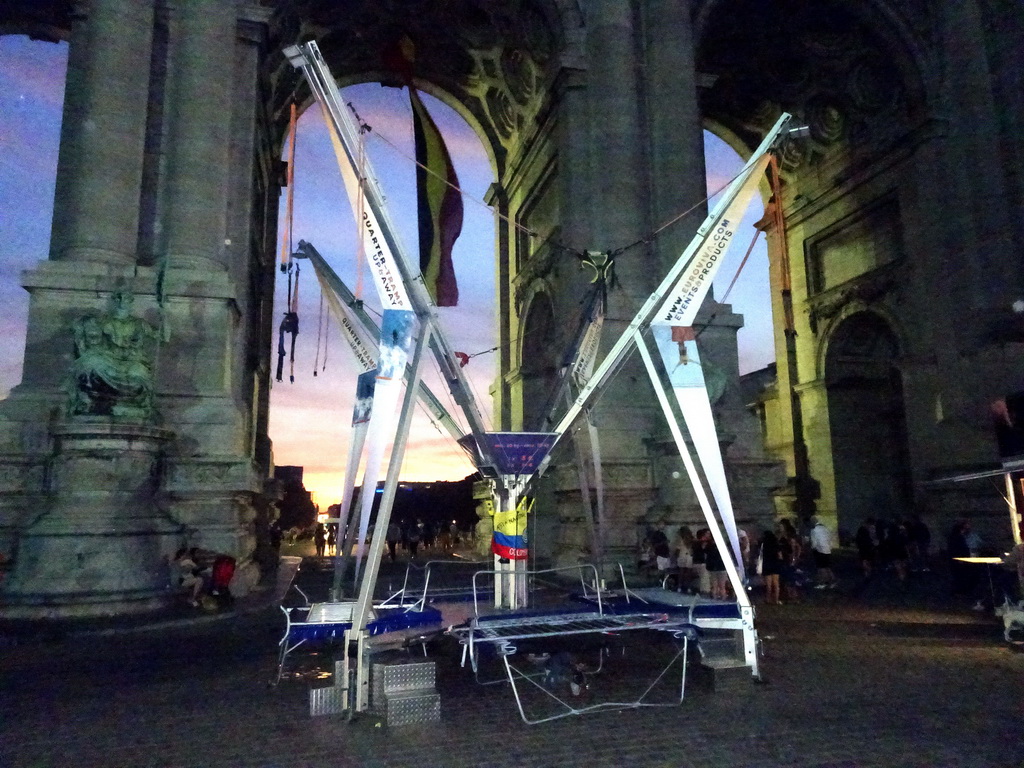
397	343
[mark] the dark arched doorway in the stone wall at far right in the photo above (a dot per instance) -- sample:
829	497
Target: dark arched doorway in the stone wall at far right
868	422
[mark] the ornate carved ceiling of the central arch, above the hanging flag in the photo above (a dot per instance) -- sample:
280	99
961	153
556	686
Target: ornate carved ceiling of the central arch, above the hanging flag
491	60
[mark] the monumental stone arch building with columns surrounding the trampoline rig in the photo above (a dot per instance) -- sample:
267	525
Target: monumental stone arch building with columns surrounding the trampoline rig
893	232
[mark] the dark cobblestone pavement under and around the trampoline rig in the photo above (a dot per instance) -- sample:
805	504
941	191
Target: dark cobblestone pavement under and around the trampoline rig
892	677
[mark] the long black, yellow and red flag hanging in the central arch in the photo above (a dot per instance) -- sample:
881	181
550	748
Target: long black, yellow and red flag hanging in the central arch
440	206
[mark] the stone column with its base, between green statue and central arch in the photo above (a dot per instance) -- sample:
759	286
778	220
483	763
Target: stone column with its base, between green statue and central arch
205	373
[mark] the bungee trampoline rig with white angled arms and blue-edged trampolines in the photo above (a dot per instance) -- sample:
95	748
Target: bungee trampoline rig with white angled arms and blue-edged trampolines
505	625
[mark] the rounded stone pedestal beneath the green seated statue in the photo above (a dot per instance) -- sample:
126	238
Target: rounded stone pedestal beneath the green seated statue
101	546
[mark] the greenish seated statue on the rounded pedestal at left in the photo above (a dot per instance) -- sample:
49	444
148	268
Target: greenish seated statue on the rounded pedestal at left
113	370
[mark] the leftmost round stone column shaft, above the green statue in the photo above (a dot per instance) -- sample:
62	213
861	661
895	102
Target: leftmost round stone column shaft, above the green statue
100	169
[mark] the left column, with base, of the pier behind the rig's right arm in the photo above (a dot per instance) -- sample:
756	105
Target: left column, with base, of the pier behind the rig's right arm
607	206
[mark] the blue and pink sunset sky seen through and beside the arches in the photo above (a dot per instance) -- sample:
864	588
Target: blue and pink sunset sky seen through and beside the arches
311	417
